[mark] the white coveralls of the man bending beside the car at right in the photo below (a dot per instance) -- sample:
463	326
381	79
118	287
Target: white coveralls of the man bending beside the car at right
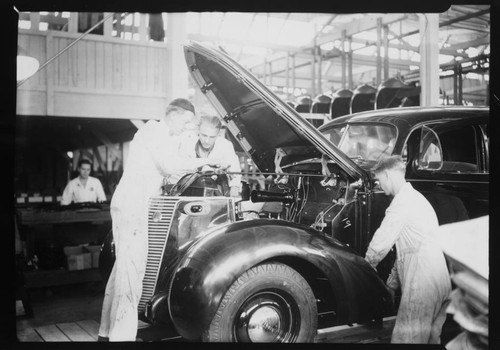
411	223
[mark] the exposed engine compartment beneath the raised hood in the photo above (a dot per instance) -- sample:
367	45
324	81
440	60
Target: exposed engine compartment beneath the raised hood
314	192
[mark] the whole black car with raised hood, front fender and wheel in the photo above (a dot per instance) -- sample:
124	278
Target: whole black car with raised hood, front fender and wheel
281	263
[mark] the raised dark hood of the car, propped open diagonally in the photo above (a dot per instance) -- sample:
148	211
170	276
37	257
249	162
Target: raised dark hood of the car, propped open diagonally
259	120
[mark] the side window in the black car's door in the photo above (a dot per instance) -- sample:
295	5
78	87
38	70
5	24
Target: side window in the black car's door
449	149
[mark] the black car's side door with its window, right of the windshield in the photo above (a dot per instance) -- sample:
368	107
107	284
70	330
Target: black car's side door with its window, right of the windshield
449	164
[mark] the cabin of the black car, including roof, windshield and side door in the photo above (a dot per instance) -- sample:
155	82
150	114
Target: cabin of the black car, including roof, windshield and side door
446	150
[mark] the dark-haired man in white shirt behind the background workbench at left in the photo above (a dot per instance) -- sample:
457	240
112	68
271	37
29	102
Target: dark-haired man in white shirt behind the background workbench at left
83	188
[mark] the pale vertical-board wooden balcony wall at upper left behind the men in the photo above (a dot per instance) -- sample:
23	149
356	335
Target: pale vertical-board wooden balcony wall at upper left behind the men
100	76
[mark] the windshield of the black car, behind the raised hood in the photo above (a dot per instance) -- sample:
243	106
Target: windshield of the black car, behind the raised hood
364	141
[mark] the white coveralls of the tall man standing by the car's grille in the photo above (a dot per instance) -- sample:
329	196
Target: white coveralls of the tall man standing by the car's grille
153	154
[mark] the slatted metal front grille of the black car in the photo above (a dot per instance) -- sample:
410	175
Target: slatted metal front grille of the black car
158	230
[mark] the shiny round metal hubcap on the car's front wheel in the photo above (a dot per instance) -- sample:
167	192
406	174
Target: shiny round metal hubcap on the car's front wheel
268	316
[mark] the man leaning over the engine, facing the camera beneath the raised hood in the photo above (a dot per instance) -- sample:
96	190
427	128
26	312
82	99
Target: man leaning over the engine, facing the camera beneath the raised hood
210	143
